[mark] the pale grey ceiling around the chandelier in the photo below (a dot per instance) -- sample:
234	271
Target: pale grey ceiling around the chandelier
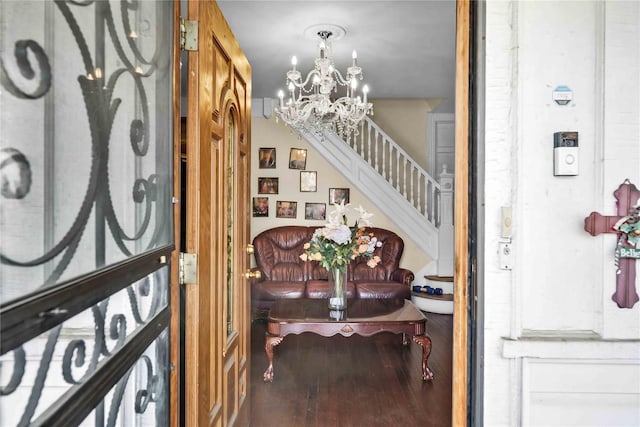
406	48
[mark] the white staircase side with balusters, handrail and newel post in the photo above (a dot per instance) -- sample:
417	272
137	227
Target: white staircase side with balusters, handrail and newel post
420	206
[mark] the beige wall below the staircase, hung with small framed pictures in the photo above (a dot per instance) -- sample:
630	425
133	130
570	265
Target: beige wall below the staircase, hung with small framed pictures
266	133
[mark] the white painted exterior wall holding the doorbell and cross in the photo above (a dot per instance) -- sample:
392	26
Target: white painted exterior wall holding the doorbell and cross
555	343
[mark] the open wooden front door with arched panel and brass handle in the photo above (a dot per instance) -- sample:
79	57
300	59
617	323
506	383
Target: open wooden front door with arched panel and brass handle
217	319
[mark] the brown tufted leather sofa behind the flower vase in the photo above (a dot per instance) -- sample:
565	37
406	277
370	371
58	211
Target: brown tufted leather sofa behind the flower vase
284	275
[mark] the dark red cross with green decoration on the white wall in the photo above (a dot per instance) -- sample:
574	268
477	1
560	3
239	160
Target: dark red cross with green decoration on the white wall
627	195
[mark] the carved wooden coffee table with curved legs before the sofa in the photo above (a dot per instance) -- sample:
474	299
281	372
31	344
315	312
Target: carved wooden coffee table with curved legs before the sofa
364	317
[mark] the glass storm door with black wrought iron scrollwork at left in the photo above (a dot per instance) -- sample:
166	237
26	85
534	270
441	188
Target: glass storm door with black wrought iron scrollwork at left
85	211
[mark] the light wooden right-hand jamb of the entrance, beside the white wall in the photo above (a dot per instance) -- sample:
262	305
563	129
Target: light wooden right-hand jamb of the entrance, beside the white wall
461	218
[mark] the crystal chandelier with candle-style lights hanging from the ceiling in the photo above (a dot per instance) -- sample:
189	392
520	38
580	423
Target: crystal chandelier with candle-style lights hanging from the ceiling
325	100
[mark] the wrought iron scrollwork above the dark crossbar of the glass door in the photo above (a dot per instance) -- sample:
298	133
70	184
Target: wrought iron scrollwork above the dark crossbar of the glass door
101	108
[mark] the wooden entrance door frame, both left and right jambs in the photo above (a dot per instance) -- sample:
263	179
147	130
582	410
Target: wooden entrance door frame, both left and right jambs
460	386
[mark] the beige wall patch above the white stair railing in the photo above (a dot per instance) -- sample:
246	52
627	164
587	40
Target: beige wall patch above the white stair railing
405	121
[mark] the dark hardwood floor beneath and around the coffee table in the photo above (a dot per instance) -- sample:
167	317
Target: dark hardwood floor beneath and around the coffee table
355	381
